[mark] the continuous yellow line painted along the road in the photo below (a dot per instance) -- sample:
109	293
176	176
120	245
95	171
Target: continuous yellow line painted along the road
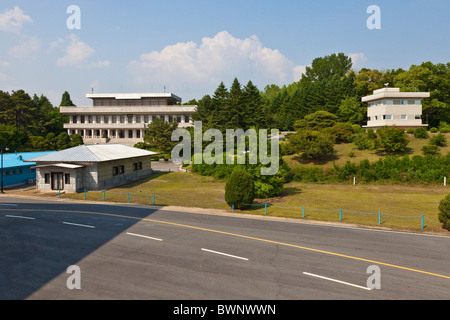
245	237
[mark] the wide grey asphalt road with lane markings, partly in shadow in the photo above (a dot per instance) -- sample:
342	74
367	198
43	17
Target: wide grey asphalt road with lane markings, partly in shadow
136	252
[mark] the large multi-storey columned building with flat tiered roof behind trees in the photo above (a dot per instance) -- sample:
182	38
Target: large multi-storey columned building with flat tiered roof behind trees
123	117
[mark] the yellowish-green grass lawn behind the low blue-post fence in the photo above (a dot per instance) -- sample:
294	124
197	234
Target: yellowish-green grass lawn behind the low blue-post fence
401	205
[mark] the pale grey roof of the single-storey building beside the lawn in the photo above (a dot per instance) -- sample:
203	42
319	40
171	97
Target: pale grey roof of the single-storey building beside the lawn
93	153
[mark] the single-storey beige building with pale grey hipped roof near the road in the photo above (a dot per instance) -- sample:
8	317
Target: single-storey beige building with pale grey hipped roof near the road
91	167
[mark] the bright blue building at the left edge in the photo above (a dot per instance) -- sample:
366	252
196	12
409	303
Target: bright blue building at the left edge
17	172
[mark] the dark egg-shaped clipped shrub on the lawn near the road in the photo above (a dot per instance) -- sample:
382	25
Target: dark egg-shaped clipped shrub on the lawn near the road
239	189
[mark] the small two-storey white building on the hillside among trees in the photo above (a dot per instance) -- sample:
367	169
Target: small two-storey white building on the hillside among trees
390	107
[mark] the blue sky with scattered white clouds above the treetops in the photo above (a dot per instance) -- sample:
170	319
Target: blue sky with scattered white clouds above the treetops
189	47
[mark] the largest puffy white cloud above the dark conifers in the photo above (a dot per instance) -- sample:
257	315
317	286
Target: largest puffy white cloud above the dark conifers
188	65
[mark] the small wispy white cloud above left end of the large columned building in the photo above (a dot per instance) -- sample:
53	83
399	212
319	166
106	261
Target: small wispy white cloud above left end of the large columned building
77	53
